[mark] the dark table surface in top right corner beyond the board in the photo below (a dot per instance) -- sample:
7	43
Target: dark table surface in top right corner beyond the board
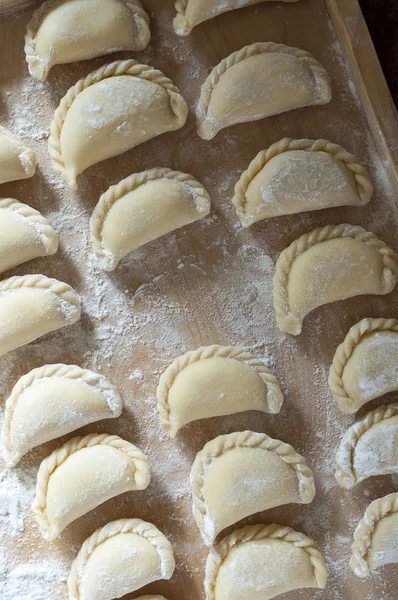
382	19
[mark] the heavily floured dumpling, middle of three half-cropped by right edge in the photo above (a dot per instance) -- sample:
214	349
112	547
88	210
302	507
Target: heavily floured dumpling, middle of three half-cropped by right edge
369	447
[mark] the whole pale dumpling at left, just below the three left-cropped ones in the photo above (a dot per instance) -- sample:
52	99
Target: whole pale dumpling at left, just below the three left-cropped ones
52	401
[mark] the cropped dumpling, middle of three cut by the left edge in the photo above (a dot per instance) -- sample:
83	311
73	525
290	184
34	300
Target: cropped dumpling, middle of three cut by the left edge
24	234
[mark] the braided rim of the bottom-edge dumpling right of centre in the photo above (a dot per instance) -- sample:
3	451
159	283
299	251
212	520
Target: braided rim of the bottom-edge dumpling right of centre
257	533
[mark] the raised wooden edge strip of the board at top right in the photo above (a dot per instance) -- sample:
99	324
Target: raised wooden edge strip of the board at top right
369	79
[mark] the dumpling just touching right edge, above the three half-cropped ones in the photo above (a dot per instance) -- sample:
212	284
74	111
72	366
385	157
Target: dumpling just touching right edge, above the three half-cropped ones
329	264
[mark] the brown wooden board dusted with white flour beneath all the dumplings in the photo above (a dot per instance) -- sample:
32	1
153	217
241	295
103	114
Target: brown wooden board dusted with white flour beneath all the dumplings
212	281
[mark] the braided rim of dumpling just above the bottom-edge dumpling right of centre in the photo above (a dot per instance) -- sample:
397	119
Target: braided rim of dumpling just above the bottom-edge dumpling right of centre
244	439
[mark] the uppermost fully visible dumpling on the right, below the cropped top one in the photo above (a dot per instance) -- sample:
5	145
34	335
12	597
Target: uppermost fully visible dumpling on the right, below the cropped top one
259	81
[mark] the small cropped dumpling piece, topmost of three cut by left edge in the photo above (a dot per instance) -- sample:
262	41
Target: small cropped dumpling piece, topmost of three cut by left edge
17	160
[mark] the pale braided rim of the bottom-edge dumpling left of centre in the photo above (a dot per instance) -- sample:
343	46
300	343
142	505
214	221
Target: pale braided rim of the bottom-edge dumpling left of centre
136	526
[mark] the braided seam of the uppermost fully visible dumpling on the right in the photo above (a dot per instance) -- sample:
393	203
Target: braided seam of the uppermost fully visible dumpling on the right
236	58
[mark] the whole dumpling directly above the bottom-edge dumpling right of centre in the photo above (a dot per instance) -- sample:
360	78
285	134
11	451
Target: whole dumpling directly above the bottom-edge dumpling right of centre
242	473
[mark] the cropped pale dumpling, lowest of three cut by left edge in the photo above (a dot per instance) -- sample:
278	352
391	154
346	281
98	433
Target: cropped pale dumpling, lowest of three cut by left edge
33	305
